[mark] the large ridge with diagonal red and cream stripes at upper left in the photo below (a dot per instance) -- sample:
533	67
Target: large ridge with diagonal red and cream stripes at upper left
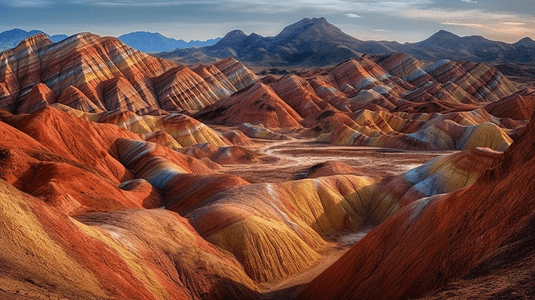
94	74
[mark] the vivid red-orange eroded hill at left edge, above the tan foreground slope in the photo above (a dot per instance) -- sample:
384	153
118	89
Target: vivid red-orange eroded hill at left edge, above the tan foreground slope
72	163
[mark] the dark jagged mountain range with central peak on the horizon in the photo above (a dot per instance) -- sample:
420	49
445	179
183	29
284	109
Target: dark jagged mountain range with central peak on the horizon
316	42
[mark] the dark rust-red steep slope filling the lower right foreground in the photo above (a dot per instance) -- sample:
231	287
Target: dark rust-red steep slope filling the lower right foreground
472	233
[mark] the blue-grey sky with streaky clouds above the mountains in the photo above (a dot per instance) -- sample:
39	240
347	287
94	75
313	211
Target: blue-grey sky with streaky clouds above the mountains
392	20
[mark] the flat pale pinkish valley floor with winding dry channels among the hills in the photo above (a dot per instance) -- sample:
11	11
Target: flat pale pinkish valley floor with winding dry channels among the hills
283	160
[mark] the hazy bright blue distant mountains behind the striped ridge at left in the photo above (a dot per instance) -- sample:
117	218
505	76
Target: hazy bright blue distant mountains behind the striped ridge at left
139	40
